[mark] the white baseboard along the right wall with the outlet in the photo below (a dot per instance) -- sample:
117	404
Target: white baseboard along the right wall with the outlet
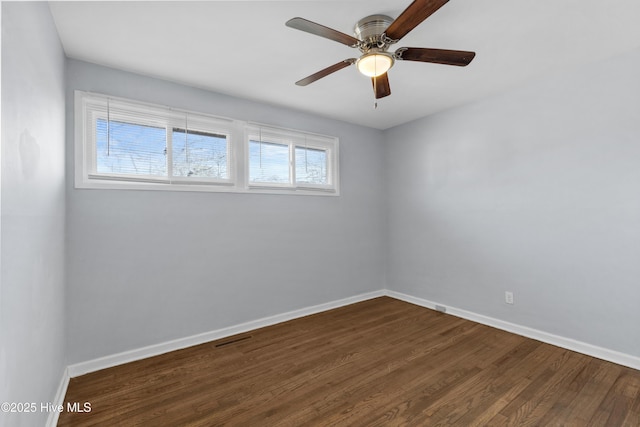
568	343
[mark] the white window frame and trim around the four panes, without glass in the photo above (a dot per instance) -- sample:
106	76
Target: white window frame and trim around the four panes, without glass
89	106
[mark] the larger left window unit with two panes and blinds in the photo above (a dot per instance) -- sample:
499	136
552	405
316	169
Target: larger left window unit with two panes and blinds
131	142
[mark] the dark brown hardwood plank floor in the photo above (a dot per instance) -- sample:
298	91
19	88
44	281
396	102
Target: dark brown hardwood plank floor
382	362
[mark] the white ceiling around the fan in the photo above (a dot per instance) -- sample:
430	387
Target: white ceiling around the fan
243	48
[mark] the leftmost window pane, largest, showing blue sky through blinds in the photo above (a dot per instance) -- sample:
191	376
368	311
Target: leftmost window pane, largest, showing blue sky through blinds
133	149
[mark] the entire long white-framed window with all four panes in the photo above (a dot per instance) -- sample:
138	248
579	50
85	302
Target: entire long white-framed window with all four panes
126	144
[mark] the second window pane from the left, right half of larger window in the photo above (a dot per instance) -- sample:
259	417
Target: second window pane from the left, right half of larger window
199	154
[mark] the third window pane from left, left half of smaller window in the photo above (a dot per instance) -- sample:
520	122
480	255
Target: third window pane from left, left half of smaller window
268	162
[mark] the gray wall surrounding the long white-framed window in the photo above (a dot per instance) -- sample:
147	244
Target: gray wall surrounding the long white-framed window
150	266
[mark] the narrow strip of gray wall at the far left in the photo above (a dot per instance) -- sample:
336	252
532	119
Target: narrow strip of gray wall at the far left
32	286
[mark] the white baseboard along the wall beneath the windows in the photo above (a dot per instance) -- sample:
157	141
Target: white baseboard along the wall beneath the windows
178	344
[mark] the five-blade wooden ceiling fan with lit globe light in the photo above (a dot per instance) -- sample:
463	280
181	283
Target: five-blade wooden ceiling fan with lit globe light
374	36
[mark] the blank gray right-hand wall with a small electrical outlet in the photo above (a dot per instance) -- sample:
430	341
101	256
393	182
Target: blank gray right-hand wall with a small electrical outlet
536	191
